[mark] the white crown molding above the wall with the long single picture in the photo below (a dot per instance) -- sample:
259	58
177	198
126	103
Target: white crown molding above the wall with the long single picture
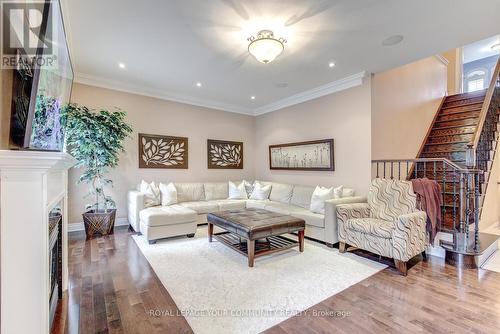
332	87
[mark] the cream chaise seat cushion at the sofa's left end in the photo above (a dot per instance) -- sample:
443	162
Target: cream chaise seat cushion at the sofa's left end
167	215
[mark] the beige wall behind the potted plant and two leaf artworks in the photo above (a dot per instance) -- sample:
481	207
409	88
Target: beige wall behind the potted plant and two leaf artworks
154	116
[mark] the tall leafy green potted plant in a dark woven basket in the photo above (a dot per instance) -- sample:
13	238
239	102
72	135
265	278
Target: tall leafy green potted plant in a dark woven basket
95	139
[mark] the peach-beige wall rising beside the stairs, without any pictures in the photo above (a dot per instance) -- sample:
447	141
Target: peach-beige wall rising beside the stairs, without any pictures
404	102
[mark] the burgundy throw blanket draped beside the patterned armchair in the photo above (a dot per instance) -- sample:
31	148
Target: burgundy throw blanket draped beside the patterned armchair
429	199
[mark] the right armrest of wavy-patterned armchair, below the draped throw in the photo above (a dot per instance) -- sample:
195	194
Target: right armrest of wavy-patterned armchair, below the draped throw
409	236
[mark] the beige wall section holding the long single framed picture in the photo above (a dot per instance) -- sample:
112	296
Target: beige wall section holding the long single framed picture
343	116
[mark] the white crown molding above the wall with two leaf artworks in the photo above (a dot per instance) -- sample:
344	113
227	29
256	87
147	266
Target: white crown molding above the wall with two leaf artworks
91	80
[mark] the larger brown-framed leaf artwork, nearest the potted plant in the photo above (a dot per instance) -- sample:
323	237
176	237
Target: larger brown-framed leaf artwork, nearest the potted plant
157	151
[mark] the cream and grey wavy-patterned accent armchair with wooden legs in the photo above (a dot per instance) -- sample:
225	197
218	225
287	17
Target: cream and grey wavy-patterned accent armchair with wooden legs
388	225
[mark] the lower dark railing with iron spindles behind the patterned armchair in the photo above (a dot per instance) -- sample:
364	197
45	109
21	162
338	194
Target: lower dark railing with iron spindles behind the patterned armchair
459	190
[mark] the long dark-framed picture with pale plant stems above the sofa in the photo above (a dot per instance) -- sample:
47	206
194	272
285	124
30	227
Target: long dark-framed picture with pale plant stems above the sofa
316	155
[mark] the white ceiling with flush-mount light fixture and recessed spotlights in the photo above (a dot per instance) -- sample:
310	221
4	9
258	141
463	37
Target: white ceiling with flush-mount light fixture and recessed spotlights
169	46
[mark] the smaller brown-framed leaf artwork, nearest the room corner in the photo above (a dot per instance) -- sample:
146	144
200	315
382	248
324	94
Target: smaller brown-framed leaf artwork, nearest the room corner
223	154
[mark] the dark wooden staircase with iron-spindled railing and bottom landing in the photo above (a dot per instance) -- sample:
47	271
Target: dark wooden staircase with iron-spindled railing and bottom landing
458	153
